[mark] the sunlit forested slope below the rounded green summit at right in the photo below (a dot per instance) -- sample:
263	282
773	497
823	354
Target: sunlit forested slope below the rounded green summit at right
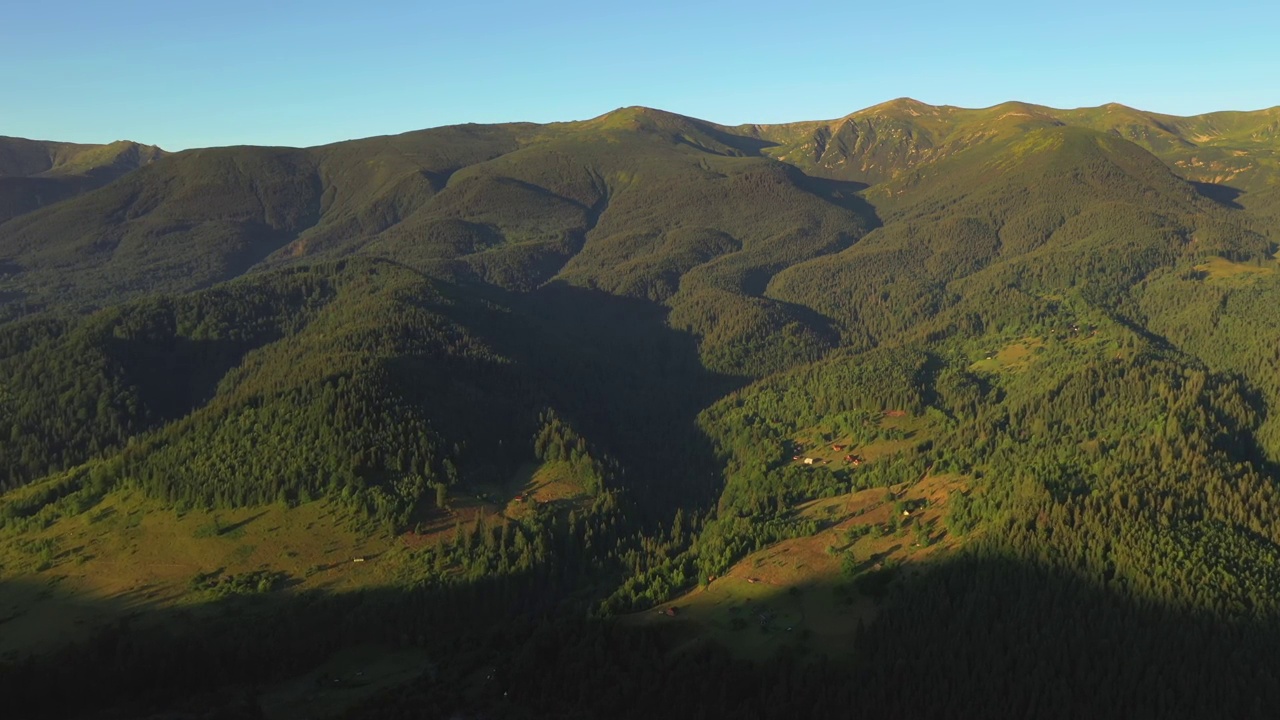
1050	211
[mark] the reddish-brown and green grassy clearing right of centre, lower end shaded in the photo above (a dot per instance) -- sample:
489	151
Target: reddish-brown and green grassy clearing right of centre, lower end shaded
811	594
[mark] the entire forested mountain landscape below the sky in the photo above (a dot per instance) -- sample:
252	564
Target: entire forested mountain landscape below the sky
925	412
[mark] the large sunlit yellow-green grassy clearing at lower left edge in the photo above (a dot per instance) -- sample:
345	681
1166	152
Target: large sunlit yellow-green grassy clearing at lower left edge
130	554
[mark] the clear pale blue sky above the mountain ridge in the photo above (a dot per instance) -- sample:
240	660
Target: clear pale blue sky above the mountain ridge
190	74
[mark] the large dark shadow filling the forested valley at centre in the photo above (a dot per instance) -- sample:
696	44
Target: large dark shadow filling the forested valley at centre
624	379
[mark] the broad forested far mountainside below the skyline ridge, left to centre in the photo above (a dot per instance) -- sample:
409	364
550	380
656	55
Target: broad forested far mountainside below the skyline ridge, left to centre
638	200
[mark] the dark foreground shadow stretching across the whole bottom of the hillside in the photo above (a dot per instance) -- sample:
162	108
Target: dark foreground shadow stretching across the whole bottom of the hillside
958	639
